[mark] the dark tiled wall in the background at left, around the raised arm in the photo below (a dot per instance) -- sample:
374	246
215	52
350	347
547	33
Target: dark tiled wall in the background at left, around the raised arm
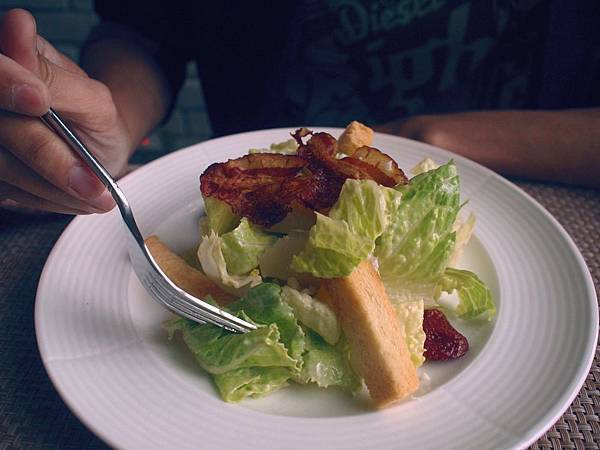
66	24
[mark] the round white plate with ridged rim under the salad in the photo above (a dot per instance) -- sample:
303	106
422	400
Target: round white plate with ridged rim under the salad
100	338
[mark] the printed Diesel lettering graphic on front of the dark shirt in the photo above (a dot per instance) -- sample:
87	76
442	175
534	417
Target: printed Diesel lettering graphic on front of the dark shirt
386	59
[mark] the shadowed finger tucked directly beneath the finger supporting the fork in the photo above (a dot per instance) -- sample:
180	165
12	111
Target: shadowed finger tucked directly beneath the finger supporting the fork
17	174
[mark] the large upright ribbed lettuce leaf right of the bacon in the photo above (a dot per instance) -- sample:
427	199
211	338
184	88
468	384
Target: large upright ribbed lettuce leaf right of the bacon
414	249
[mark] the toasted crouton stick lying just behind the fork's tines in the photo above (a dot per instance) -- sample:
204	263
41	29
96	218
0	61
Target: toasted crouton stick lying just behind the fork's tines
185	276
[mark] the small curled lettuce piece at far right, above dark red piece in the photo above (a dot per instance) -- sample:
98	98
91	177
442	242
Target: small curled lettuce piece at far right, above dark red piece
475	298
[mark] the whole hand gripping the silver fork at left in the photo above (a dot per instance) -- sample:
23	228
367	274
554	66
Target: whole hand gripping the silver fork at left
37	169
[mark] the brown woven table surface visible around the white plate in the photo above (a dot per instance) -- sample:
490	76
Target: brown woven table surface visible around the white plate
32	415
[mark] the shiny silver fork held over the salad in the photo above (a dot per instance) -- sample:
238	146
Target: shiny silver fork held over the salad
154	280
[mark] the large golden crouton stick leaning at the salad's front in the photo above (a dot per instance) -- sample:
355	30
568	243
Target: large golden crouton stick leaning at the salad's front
377	344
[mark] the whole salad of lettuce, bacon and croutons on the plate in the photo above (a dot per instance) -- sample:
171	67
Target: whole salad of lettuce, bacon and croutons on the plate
338	258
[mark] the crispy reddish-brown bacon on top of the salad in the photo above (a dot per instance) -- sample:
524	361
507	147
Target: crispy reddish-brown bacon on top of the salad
265	186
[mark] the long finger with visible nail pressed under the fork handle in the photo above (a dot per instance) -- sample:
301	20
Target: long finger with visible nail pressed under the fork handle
38	148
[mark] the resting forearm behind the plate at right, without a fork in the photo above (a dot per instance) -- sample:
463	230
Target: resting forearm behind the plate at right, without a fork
559	146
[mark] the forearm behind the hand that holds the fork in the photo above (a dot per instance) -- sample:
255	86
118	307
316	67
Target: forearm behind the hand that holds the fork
139	90
